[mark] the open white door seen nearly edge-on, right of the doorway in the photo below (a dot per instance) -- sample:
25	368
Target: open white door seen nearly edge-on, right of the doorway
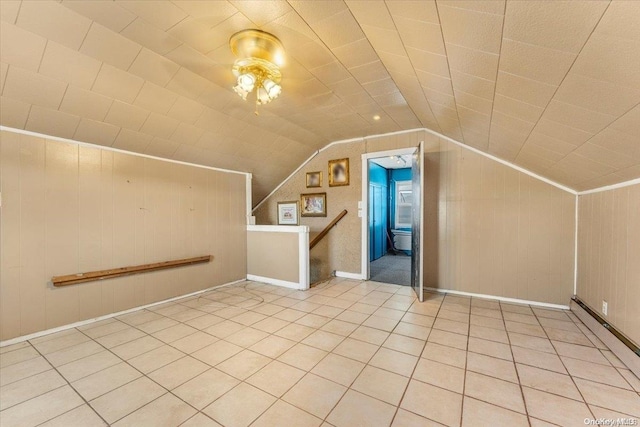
417	239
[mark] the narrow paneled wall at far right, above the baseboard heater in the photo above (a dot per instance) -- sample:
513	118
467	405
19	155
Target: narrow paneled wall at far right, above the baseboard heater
609	255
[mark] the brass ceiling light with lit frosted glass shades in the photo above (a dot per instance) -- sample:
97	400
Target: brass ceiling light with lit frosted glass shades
260	56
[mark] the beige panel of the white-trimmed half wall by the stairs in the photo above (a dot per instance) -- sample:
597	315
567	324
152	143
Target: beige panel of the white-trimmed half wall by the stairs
273	255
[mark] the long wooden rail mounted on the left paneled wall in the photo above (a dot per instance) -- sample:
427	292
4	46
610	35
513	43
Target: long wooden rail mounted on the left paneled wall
72	279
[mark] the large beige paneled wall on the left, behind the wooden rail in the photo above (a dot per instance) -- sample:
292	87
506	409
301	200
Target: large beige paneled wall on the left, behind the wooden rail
69	208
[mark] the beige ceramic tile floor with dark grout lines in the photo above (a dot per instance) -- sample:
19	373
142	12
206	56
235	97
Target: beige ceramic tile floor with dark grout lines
344	353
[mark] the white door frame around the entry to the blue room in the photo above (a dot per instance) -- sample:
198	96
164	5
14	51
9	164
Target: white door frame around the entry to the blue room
363	205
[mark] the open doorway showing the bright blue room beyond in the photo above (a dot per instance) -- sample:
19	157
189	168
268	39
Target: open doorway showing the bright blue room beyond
390	194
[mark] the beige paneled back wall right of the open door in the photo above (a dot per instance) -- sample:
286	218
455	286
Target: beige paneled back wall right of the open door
501	232
